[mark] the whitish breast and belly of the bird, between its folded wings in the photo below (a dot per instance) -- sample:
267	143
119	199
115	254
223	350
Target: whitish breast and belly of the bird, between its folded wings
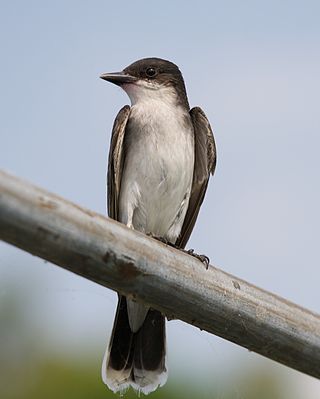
158	170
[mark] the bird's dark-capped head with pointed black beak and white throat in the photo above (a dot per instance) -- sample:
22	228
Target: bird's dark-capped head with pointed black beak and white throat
151	78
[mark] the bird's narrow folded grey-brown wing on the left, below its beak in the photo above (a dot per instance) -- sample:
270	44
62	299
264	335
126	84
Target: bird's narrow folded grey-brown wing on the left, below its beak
115	163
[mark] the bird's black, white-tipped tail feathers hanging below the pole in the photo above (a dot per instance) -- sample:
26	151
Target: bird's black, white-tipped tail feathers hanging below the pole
136	359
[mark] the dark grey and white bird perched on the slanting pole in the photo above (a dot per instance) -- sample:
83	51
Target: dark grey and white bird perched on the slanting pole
161	156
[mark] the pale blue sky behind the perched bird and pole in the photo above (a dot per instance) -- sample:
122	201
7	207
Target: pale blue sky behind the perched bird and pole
253	66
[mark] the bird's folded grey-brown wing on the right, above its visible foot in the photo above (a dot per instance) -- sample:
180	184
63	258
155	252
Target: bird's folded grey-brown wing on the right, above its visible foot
205	163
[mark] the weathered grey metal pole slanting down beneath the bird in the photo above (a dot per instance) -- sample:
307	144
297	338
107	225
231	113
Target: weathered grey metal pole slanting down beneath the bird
108	253
